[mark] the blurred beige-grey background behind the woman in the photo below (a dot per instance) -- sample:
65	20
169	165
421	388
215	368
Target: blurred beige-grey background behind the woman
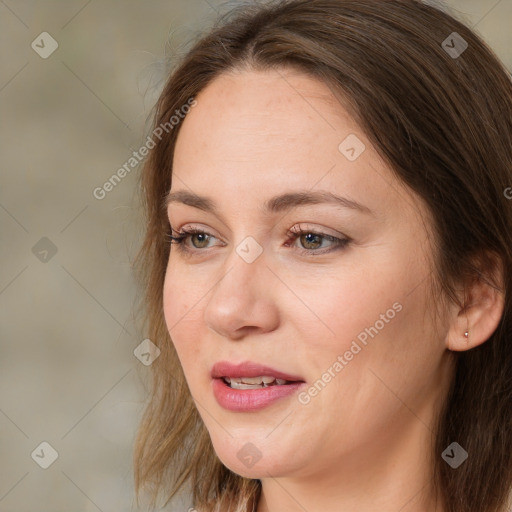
77	81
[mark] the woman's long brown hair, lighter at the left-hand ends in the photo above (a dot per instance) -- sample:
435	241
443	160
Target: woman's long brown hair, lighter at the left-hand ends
444	124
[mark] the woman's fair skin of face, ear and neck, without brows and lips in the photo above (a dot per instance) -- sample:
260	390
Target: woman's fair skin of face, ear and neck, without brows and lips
363	442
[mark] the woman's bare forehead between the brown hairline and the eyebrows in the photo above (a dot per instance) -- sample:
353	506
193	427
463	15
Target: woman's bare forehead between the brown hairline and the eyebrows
256	134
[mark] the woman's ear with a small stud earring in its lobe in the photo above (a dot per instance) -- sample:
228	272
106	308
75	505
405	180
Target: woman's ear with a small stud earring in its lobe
481	311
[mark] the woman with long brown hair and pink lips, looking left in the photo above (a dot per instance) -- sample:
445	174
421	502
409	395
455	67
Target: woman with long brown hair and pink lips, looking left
328	265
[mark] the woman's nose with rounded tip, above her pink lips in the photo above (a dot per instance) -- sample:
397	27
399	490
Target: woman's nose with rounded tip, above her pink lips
242	301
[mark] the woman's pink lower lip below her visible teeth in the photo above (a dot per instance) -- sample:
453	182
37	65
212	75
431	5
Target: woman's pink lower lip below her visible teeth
247	400
